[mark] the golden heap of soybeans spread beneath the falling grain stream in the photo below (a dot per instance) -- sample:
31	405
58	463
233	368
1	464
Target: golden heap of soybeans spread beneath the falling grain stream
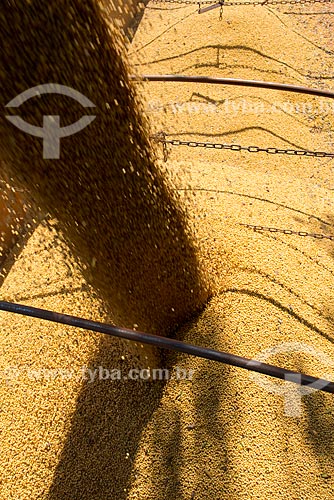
220	435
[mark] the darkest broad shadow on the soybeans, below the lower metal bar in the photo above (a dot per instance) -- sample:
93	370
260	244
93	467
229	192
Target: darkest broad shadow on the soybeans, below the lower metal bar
106	428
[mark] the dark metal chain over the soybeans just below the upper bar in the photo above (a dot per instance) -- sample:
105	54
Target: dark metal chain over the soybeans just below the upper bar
237	147
